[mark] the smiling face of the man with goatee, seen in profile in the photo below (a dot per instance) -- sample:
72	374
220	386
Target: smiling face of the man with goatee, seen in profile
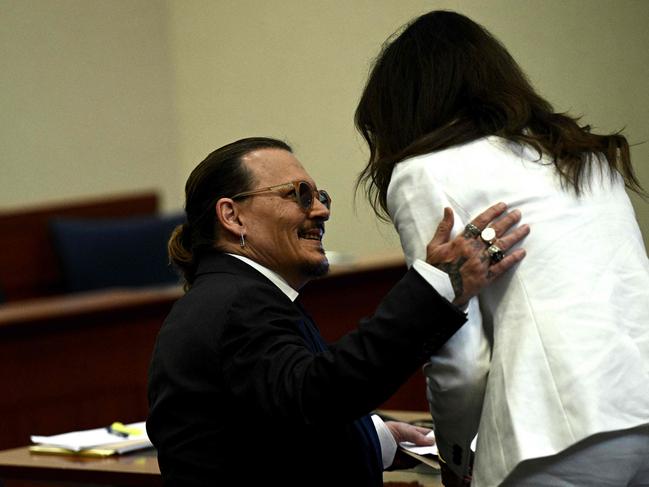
280	234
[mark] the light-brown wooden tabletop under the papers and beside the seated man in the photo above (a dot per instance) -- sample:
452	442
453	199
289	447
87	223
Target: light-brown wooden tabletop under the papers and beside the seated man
20	468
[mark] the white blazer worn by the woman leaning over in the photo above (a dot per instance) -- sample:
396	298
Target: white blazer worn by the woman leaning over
557	349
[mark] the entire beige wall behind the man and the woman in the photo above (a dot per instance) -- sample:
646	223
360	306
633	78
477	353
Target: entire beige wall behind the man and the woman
108	95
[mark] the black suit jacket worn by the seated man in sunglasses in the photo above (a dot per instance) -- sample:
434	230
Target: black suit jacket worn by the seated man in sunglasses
242	391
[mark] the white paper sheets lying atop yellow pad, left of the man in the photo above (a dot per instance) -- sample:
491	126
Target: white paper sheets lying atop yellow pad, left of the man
93	438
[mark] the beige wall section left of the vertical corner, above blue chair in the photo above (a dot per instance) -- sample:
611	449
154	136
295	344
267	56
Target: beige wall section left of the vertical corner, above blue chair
86	100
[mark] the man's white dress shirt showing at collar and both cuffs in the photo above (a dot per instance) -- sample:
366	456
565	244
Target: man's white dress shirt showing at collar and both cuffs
436	278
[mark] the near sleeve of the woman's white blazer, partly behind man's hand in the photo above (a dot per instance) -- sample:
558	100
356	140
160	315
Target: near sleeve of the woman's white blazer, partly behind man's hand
456	375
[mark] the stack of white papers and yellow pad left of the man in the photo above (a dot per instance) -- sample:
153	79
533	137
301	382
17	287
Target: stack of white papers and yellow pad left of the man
93	442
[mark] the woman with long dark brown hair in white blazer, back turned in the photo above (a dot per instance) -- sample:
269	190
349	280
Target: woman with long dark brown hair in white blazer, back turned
553	368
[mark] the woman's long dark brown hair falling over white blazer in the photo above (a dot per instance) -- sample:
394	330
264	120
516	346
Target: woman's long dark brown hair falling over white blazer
446	81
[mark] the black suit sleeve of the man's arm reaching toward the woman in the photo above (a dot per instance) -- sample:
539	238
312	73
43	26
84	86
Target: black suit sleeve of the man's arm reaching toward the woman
269	369
